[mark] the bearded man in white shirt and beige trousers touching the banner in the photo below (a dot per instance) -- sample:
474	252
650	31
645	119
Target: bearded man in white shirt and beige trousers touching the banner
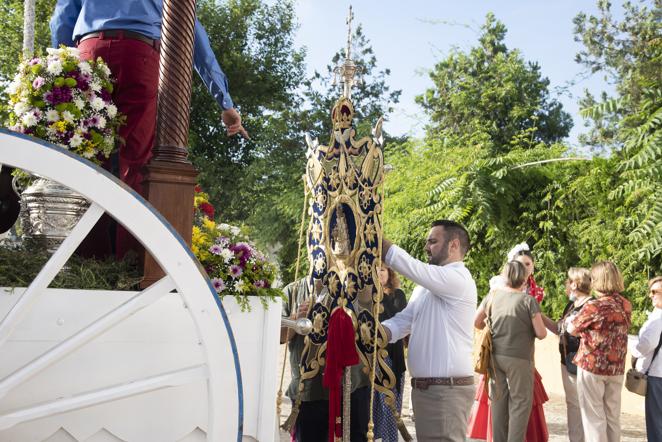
440	321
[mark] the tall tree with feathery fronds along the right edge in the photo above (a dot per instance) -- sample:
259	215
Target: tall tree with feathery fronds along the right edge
629	52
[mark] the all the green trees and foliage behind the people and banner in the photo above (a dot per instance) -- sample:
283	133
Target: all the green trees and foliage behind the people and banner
491	115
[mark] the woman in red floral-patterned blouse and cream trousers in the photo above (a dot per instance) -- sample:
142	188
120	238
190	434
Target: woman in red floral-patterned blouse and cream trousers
602	325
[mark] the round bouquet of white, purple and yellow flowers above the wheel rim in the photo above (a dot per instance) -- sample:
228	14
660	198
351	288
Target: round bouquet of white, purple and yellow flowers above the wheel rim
66	101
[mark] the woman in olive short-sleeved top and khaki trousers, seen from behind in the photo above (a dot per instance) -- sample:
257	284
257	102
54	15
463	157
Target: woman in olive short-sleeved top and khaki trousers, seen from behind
515	322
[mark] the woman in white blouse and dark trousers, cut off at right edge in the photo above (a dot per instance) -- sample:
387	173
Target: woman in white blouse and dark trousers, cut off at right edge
643	349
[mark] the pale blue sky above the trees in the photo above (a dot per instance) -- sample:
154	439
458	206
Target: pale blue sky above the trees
409	37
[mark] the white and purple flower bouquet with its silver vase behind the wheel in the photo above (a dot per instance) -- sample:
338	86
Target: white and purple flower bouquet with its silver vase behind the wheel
66	101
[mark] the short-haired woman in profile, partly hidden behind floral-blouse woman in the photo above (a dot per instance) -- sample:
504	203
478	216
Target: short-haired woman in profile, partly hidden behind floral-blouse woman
578	290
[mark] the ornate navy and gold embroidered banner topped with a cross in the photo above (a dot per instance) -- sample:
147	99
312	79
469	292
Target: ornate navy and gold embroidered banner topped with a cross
344	180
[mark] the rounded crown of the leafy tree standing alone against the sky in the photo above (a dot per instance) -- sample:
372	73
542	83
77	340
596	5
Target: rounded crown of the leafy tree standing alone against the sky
492	89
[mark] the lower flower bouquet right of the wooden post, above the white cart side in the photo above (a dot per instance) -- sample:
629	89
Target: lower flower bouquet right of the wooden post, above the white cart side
232	262
